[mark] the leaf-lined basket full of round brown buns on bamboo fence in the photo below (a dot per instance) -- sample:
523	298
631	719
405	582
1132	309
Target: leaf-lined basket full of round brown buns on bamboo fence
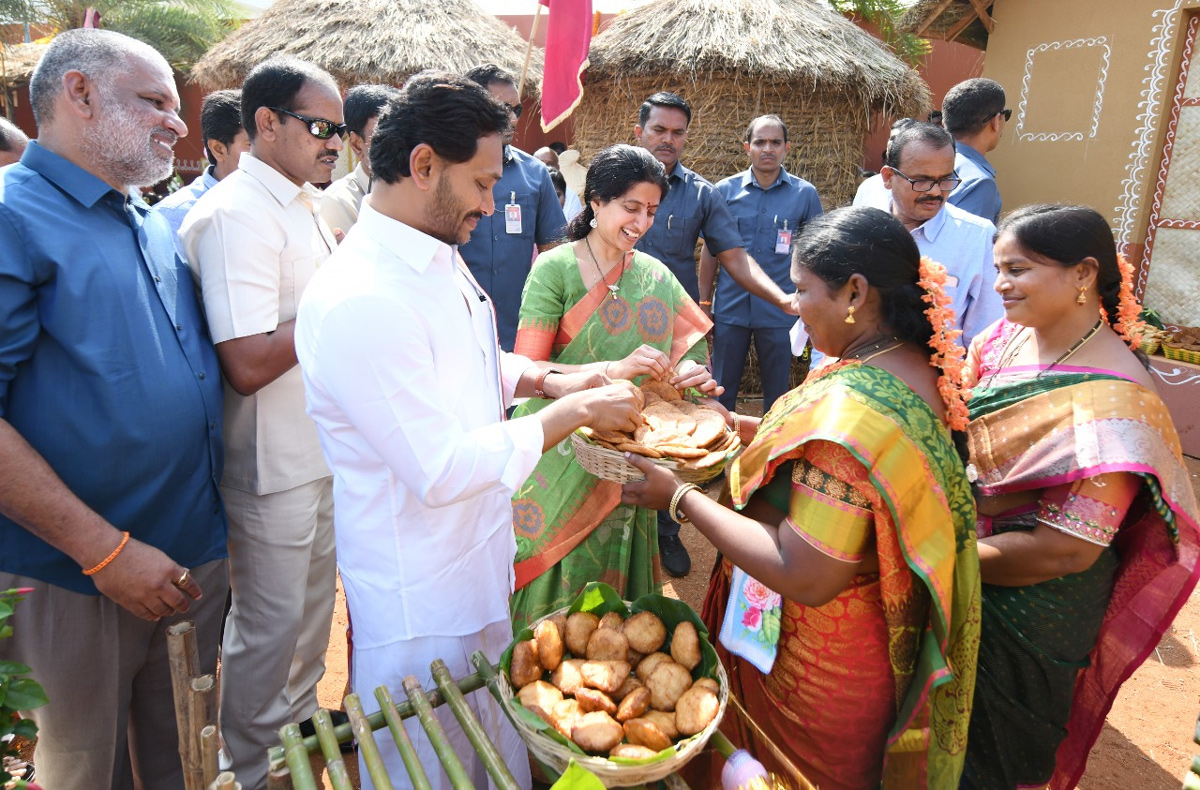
629	691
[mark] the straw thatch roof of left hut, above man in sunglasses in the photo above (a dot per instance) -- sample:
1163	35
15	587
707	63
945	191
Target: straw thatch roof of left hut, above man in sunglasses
379	41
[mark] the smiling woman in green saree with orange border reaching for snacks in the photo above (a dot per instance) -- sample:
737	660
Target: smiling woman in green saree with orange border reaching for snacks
596	302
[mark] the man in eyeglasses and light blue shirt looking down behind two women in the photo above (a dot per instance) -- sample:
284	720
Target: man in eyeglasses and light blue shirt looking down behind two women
920	172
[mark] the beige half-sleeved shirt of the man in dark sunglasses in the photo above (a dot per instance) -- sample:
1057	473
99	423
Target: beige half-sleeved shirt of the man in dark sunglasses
254	242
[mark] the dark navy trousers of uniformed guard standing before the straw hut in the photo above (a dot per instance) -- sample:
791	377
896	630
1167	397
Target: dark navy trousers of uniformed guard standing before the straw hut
731	345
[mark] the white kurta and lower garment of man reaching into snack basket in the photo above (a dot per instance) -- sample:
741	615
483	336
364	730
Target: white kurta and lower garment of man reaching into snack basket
409	387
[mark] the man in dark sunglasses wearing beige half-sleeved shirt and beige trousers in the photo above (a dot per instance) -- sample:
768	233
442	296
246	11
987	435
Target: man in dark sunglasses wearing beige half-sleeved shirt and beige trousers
254	242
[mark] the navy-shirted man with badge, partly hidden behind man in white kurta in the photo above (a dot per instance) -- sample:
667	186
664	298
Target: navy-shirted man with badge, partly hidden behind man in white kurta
527	220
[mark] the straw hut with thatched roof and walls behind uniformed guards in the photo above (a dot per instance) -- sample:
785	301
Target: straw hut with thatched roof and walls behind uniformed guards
736	59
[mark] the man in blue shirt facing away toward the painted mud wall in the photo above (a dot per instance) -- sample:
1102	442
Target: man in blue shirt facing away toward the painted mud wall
974	113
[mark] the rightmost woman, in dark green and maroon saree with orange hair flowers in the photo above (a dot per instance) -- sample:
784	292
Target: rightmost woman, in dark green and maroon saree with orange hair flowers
1088	523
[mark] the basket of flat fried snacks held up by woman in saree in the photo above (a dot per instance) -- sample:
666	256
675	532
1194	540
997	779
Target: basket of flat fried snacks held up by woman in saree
692	440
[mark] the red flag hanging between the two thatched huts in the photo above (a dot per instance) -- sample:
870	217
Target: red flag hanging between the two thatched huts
568	38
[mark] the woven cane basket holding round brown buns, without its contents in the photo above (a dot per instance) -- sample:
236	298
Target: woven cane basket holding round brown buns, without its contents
617	773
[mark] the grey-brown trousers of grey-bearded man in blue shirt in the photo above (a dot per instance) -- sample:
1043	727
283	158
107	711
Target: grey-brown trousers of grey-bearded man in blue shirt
111	722
